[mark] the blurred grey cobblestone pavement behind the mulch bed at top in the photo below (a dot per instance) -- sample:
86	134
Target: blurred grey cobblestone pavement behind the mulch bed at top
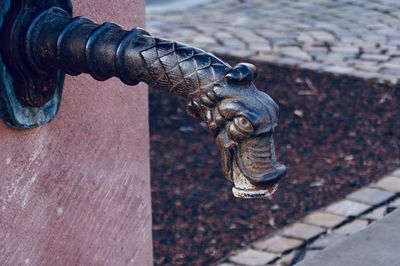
353	37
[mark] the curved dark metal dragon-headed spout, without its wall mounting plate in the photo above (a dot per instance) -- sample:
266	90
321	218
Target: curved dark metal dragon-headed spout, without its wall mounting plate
241	117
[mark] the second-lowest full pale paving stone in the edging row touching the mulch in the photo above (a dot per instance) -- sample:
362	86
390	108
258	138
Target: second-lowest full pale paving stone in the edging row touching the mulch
277	244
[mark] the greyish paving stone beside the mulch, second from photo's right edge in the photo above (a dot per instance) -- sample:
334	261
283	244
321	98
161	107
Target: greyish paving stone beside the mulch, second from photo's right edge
371	196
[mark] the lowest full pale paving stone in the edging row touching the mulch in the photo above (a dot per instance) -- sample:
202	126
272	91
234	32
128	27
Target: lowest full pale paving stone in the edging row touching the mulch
251	257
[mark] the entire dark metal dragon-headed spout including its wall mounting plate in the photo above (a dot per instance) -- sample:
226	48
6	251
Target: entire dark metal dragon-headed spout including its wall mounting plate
40	40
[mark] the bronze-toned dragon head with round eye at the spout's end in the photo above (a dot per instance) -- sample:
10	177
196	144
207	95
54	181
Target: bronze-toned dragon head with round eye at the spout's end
243	120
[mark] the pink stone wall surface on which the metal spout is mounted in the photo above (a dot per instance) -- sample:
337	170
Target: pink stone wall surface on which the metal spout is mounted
77	191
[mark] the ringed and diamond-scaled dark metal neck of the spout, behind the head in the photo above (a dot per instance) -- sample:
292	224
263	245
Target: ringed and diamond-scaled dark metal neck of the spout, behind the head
78	45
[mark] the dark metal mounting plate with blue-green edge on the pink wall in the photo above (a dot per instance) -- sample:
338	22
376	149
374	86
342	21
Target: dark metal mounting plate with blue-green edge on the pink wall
17	81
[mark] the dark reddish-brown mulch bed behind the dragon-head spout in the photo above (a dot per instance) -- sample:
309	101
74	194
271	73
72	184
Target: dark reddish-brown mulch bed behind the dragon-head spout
336	134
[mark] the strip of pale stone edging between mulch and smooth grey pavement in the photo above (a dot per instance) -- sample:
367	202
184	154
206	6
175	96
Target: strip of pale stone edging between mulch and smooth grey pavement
323	227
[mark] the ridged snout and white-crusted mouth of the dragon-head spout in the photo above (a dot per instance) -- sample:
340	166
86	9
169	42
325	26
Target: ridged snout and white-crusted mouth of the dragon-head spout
251	165
